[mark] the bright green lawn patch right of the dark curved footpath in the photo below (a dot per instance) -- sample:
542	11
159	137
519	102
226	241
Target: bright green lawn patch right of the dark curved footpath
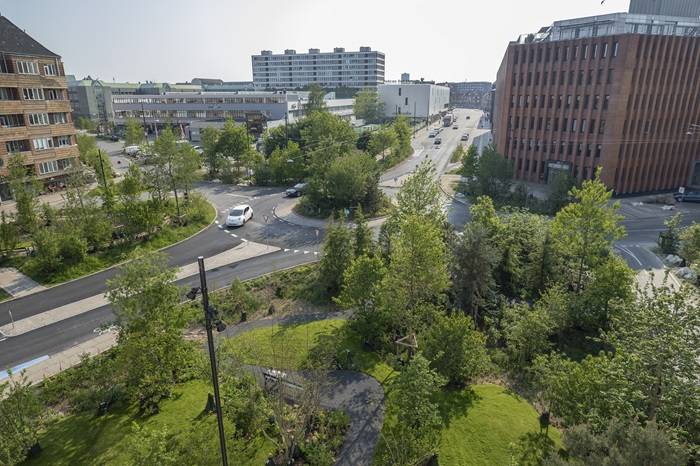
482	422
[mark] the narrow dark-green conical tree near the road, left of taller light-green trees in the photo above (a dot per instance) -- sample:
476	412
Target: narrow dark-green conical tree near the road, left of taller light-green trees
338	252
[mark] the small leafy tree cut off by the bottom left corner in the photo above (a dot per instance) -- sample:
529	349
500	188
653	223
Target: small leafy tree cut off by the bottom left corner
20	411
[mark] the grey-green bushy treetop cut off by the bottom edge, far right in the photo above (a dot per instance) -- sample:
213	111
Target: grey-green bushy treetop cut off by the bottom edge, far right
622	443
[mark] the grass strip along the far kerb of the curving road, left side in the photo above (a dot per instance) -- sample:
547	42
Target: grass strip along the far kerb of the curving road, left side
111	256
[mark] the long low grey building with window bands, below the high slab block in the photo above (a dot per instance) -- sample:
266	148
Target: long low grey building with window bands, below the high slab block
185	108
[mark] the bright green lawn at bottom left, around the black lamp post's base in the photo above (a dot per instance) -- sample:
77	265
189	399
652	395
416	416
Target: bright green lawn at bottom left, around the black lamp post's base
86	439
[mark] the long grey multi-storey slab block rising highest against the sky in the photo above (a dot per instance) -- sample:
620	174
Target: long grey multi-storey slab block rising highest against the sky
331	70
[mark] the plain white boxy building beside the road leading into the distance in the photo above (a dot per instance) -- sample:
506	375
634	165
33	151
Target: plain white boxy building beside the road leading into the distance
417	100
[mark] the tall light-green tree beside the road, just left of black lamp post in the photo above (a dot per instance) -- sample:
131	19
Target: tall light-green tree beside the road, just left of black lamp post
151	349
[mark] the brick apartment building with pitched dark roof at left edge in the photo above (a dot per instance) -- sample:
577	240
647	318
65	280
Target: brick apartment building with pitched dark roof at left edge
35	113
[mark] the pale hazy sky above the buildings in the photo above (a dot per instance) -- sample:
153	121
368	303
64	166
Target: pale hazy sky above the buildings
177	40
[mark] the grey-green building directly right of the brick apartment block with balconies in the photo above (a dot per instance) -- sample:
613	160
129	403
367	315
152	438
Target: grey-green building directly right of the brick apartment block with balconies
90	98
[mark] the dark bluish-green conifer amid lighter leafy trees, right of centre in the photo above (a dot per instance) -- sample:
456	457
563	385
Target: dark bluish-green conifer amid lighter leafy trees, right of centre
474	260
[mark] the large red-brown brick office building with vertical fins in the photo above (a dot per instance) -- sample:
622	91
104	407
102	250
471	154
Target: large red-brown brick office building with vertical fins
617	91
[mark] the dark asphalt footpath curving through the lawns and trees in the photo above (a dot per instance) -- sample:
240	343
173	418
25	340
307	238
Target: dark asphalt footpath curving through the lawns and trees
358	394
